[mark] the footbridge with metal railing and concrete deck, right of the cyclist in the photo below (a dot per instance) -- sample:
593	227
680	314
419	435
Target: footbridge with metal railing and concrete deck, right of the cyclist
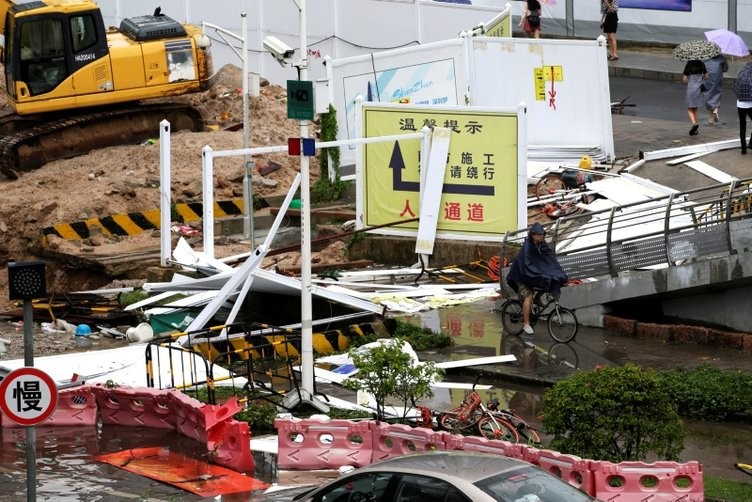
686	255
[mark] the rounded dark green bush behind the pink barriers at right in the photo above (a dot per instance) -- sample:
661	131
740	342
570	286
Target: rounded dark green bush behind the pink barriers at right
614	414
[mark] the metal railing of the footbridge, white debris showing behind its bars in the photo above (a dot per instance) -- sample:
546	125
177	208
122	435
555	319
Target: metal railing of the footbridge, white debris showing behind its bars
663	231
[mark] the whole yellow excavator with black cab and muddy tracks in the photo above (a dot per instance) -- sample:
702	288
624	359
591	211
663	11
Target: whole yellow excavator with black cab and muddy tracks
75	85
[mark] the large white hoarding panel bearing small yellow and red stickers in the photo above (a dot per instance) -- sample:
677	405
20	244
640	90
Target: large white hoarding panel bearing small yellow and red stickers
564	84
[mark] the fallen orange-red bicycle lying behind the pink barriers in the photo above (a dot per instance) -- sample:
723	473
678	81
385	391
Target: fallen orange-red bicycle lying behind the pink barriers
472	413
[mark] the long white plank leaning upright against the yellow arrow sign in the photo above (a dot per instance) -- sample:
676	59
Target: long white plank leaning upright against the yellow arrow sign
430	198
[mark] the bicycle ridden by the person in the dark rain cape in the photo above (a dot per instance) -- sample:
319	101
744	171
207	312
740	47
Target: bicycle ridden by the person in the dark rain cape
562	322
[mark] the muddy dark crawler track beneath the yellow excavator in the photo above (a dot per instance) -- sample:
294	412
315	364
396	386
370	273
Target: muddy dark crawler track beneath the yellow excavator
43	141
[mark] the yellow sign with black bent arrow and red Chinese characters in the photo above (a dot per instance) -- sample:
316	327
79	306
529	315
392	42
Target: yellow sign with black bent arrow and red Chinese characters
479	193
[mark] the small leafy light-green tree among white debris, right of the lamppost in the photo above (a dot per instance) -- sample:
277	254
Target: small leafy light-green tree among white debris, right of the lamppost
386	370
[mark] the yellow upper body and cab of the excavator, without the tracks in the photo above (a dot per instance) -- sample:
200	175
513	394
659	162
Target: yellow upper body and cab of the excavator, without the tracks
59	56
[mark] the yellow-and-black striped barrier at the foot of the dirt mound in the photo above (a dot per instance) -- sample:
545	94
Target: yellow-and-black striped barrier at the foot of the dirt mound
130	224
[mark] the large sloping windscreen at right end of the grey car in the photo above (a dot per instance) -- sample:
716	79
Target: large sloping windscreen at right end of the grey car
530	484
